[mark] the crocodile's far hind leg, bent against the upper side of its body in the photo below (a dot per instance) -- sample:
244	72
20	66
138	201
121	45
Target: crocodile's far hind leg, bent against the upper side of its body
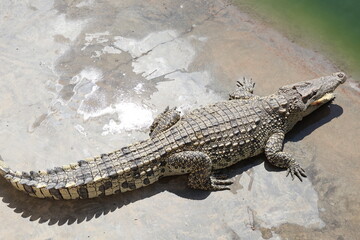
164	121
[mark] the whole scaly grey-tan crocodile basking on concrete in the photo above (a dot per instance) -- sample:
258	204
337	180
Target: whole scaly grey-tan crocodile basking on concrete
198	144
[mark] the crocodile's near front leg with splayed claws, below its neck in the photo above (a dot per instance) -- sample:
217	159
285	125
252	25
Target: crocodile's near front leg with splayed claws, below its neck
275	155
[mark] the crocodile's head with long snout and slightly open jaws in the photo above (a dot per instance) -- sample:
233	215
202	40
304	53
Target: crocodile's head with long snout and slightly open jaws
307	96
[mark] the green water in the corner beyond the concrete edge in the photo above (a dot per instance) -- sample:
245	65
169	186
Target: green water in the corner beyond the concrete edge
330	26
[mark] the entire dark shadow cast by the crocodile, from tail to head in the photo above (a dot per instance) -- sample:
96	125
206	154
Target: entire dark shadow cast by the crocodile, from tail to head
77	211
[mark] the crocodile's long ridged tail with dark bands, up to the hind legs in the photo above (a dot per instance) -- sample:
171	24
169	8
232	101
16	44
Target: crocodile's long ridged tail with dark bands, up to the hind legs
103	175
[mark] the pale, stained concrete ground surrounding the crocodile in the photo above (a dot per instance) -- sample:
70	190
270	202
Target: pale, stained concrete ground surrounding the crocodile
84	77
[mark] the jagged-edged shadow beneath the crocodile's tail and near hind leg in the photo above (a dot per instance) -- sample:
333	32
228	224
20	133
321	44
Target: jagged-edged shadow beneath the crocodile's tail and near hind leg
68	212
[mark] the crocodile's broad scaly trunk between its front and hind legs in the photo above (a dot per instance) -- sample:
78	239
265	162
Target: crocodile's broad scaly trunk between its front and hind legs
228	131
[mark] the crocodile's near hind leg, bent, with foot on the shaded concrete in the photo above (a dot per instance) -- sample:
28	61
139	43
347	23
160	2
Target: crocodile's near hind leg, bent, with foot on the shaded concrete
199	167
